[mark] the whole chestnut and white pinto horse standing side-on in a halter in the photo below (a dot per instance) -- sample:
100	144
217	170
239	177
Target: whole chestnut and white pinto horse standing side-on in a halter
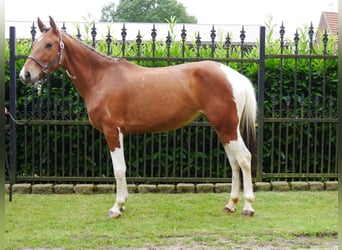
122	97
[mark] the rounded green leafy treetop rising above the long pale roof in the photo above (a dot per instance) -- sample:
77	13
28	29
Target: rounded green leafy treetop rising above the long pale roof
155	11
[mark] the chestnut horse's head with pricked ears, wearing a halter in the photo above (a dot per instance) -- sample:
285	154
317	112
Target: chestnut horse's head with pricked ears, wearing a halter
46	54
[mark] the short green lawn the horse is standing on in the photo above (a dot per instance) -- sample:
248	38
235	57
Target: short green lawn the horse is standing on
78	221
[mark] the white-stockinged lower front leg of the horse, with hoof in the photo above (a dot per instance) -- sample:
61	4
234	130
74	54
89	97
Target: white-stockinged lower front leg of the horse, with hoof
119	166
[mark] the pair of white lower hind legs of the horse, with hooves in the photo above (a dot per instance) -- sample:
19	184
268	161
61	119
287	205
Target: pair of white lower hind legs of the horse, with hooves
239	156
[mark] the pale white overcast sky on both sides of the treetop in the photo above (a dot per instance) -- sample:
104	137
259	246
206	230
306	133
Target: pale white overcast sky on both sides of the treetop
294	13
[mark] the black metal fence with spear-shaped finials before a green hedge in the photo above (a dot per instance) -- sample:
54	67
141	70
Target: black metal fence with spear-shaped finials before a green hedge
297	123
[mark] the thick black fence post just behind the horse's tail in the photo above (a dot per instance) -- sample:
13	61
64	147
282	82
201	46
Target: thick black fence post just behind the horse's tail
260	116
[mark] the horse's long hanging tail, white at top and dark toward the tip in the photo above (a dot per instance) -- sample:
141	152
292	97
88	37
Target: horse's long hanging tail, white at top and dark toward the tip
247	124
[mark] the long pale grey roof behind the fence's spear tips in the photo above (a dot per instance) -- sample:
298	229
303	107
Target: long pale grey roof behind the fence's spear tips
23	31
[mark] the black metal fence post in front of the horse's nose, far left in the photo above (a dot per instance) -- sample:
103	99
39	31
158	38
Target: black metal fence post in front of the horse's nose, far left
12	109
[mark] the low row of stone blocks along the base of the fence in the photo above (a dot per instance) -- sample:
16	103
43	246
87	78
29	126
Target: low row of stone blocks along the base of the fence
275	186
